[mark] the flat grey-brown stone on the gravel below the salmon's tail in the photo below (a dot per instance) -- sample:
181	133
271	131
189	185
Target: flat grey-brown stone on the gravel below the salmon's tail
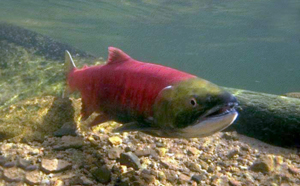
68	142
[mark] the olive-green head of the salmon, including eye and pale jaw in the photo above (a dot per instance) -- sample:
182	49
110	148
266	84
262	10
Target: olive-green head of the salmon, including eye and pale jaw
192	108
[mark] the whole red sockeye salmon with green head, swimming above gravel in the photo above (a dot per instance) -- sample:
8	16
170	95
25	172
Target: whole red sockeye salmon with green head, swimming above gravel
150	98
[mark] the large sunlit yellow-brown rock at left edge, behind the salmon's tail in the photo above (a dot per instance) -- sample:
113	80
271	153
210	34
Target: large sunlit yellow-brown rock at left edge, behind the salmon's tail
35	118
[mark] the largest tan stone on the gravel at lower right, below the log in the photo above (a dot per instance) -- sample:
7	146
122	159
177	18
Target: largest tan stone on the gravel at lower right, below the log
265	164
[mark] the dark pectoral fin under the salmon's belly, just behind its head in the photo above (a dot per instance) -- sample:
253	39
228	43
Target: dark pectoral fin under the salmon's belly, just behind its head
133	126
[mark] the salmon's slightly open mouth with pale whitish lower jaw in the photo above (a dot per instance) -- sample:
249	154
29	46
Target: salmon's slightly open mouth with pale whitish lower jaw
212	121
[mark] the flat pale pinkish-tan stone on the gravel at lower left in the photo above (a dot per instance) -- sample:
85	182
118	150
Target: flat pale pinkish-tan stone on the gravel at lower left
54	165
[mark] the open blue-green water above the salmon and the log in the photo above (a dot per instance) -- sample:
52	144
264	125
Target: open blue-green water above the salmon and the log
253	45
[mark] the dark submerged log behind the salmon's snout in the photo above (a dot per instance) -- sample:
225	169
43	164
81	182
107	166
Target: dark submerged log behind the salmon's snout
270	118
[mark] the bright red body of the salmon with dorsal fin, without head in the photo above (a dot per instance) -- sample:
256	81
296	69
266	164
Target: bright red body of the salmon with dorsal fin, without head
123	88
